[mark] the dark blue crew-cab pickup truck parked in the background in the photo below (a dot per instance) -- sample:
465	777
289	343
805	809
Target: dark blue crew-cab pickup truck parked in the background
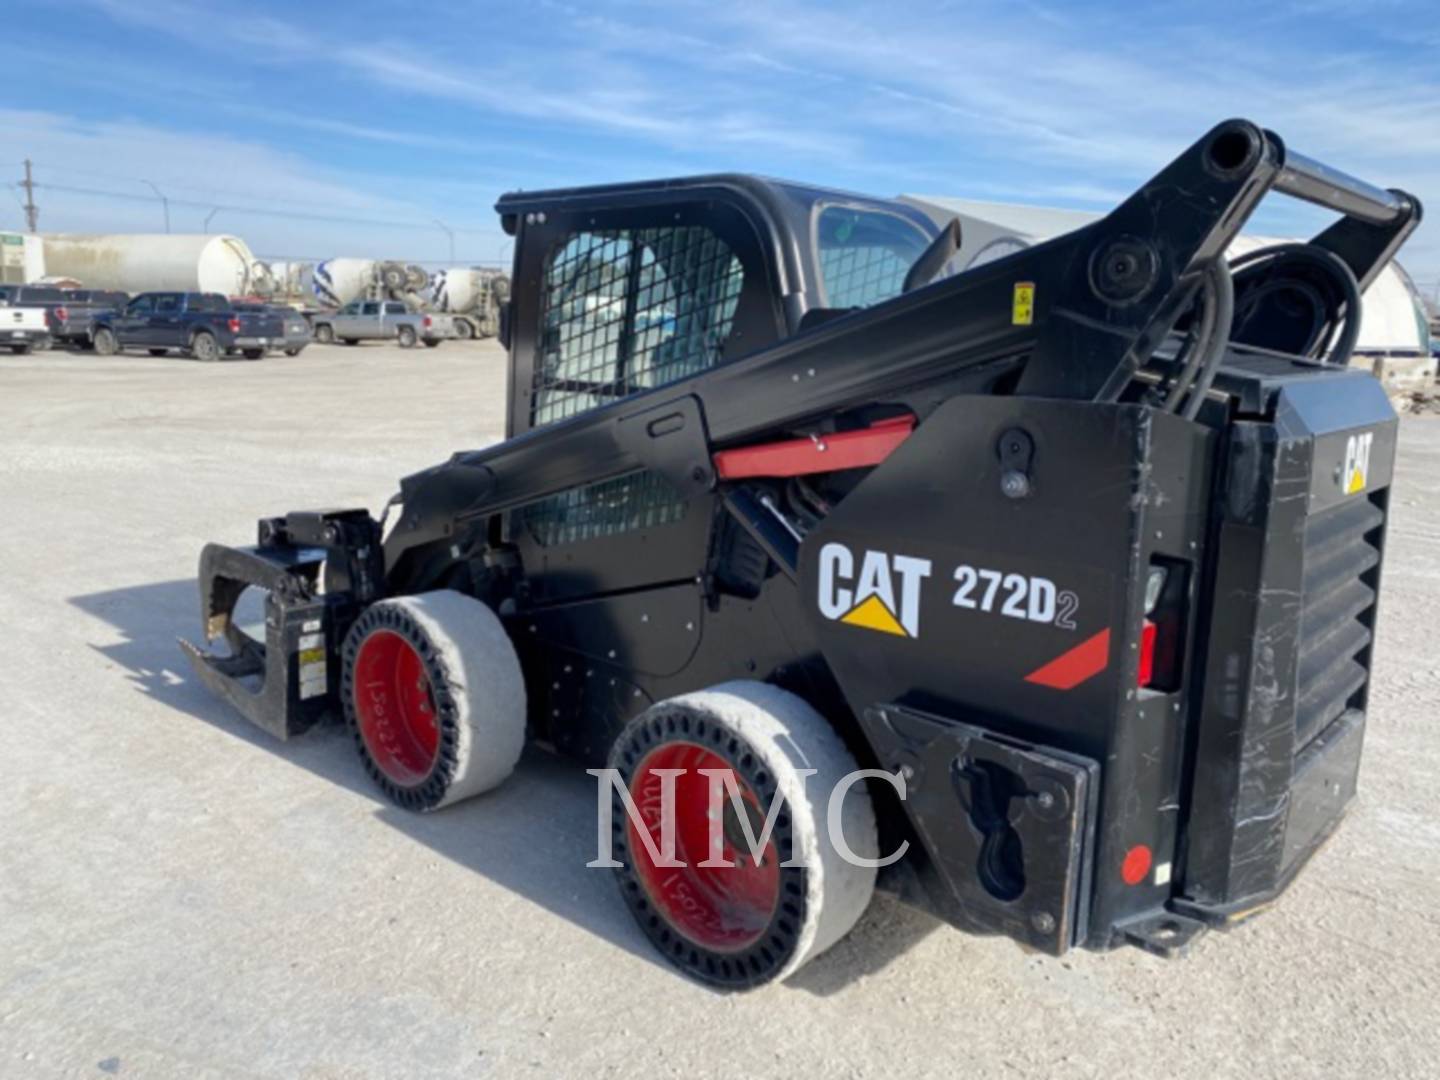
201	325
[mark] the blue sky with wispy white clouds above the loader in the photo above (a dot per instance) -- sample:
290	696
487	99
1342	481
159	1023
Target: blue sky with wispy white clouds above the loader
356	127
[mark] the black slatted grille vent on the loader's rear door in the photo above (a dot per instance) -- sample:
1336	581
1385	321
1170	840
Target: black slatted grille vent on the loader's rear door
1338	614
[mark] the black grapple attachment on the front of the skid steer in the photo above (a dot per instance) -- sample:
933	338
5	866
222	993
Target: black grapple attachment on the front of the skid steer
318	571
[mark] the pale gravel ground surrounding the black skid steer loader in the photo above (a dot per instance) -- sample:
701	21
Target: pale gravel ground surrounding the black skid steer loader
184	898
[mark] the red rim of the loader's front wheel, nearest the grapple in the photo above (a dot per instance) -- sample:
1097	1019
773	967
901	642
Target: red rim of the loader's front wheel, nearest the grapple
395	708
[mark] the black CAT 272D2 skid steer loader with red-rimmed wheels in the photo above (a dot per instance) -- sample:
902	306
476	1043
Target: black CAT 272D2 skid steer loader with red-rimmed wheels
1072	557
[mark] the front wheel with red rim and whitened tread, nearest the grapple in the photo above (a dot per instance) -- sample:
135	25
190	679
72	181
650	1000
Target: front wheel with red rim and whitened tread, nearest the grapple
434	696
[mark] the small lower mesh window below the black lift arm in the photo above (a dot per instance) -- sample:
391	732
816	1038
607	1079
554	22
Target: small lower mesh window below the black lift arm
639	500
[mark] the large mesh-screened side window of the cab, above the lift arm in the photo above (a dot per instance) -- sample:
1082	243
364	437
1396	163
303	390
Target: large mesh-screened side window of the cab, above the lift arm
630	310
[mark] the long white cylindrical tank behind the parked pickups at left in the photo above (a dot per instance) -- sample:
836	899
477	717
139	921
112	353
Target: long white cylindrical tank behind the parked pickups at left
153	263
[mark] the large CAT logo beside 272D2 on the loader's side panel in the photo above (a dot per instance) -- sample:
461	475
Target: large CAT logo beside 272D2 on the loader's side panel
885	597
